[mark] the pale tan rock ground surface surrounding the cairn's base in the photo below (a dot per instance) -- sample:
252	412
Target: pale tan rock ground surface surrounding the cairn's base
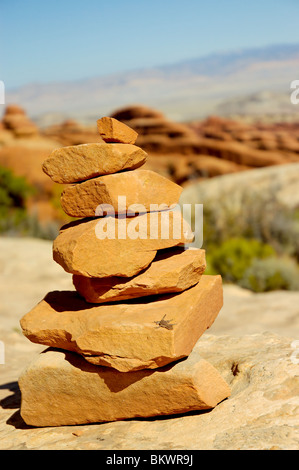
262	412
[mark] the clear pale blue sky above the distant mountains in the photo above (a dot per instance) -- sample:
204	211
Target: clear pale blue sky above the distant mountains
74	39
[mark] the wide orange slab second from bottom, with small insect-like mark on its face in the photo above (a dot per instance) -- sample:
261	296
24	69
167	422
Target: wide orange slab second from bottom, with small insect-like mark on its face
127	336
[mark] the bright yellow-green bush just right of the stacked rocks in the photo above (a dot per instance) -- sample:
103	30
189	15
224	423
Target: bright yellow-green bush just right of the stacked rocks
233	257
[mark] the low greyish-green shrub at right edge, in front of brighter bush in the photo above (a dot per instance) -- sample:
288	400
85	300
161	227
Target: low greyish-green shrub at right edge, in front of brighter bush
270	274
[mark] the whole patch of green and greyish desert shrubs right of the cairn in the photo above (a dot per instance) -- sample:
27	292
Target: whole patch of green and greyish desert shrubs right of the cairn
256	247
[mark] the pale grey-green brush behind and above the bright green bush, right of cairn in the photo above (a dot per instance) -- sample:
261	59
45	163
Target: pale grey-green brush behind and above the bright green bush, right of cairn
257	216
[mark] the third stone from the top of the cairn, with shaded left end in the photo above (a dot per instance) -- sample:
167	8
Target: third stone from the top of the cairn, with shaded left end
137	191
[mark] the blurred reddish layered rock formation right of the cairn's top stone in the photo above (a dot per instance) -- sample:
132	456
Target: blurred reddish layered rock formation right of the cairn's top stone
213	147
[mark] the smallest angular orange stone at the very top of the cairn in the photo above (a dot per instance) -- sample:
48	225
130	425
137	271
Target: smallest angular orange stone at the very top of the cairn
112	130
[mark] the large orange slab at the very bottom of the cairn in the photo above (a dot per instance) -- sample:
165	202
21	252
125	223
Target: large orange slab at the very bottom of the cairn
61	388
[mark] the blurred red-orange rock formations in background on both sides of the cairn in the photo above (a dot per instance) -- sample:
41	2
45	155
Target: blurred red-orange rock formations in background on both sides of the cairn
184	153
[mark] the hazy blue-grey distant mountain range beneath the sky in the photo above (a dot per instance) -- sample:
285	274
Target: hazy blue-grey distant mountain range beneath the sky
254	82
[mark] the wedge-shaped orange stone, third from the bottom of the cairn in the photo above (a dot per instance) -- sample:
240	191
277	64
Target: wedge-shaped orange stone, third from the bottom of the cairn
174	270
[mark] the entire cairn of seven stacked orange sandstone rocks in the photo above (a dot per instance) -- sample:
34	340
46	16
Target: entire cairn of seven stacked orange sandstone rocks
121	344
